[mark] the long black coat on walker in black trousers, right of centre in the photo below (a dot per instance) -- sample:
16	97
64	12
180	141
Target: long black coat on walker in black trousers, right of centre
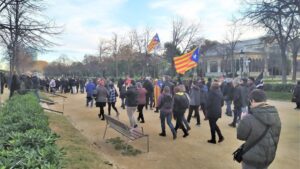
215	102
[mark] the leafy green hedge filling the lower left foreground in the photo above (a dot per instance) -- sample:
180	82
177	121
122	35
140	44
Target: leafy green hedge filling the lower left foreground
26	140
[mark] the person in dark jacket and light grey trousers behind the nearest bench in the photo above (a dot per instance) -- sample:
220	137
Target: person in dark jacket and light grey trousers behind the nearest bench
131	103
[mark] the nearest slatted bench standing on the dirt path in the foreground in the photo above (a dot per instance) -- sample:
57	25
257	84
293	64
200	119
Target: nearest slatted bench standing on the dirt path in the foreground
130	133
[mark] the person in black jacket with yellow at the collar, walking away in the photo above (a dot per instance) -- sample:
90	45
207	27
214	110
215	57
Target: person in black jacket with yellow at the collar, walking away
181	103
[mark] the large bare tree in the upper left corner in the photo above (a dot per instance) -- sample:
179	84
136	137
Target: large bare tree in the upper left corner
22	24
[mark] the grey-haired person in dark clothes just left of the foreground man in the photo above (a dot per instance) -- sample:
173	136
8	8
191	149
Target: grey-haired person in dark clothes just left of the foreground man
237	101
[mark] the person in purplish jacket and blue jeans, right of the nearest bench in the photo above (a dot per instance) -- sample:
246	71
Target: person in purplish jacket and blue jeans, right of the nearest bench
165	103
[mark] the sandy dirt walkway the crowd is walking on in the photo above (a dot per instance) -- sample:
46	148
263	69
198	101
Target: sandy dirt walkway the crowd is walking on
191	152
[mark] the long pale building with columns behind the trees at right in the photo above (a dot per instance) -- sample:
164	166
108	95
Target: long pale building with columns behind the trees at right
250	57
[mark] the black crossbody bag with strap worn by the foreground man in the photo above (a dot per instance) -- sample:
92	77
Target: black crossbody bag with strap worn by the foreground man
238	154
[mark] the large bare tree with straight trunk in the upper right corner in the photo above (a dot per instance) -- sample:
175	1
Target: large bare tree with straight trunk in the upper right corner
278	17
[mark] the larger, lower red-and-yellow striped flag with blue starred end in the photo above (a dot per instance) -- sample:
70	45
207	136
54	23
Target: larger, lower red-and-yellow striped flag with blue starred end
187	61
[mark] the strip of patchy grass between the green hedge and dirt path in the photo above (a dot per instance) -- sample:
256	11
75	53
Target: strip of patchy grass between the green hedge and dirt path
80	154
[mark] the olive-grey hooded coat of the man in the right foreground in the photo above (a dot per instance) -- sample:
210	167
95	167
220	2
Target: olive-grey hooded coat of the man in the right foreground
252	126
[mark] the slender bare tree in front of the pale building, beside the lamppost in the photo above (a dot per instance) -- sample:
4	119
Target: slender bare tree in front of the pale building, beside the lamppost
231	39
